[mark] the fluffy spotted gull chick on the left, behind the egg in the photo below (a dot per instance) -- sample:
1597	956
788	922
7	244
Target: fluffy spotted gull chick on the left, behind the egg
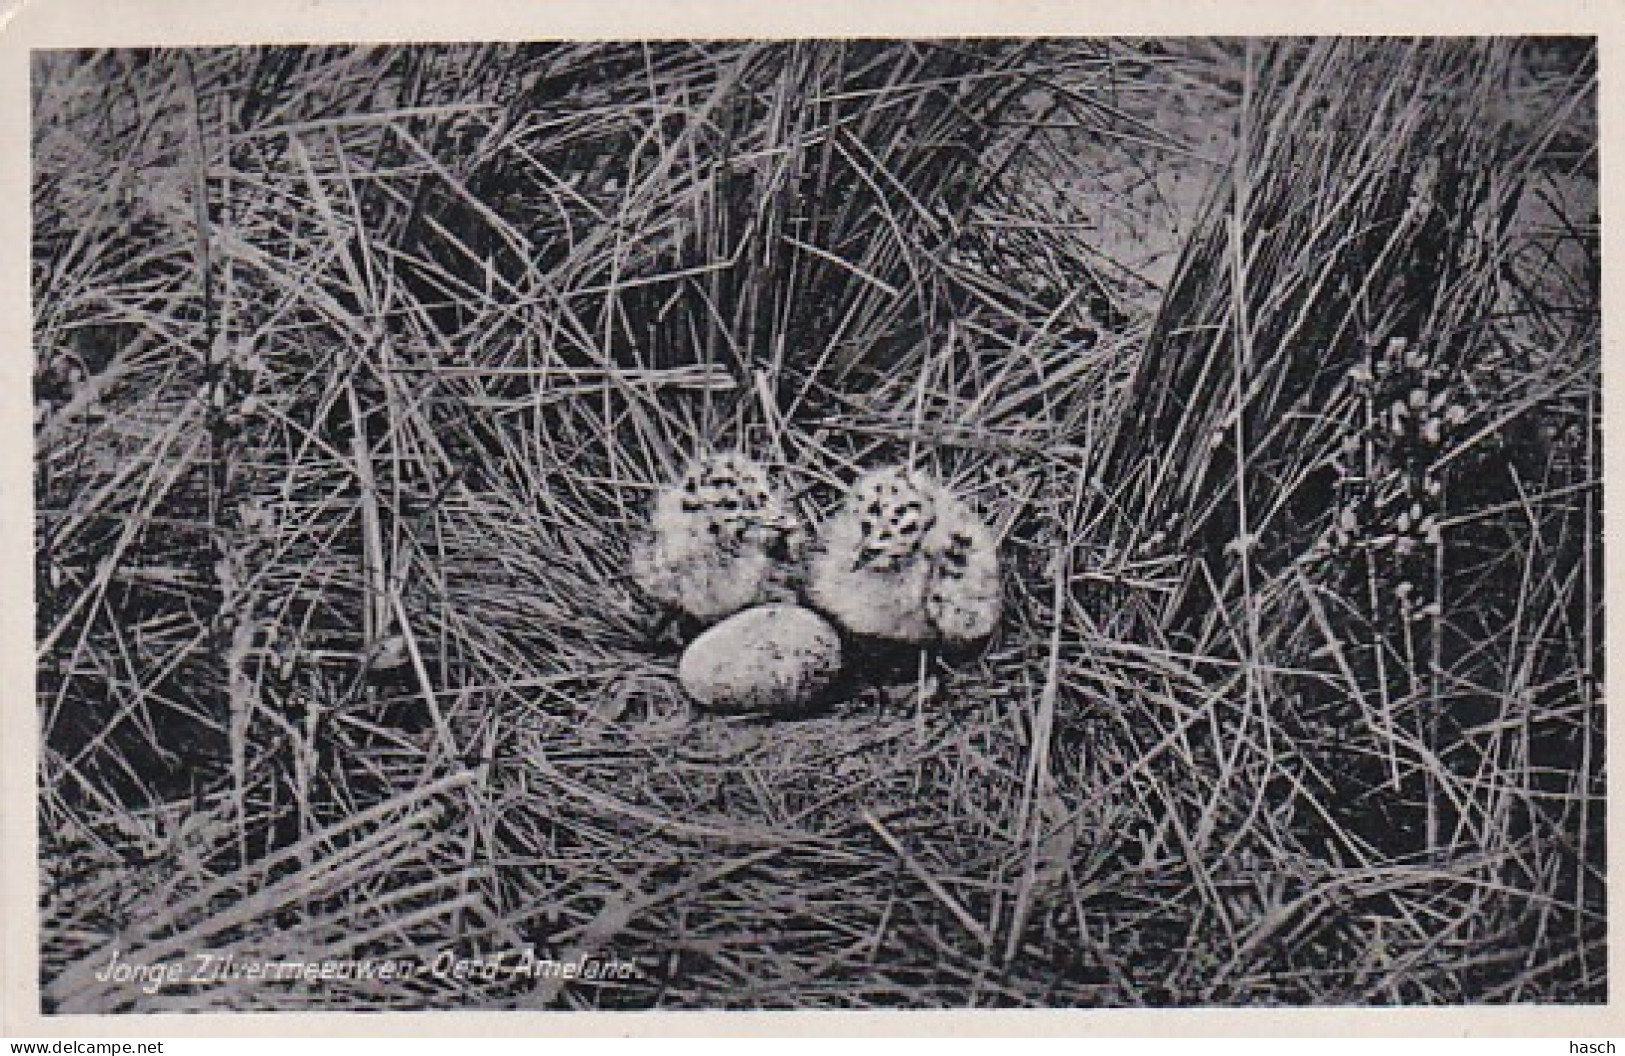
716	539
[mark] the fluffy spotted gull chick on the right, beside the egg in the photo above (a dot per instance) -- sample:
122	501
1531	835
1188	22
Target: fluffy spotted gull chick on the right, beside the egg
906	560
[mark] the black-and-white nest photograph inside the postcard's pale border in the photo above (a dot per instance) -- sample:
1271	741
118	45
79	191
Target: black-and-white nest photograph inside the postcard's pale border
818	524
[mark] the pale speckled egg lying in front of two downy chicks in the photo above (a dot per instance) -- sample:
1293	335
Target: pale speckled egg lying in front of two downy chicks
774	659
